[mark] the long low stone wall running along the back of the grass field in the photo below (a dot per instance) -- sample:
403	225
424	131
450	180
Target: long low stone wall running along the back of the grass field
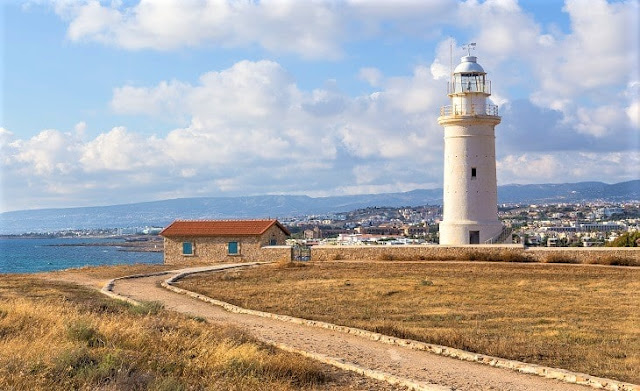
509	253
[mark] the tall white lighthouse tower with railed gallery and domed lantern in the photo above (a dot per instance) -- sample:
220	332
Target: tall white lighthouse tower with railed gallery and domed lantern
470	199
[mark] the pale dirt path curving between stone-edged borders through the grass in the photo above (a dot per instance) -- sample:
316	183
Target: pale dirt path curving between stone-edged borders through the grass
395	360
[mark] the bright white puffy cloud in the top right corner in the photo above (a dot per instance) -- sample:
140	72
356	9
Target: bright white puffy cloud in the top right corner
598	53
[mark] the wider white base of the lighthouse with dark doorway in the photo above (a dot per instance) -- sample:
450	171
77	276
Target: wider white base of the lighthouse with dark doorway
468	232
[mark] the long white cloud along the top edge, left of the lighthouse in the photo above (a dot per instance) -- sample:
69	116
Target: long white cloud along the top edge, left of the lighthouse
310	29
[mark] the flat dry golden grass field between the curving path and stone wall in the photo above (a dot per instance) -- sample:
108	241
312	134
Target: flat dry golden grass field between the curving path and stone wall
581	318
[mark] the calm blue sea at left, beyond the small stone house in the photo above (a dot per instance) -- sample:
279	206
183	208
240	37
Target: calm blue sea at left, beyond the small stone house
22	255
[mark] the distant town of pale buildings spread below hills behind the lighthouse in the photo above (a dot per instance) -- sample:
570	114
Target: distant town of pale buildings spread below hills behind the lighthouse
555	225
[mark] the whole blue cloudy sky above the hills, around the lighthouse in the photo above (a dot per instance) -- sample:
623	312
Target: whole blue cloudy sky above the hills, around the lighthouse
110	102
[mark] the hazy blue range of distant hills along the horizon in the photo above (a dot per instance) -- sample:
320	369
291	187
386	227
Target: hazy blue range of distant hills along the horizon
161	213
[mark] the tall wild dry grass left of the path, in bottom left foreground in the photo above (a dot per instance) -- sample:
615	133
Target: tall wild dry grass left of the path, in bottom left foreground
56	336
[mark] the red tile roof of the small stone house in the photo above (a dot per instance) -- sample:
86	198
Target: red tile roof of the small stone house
220	228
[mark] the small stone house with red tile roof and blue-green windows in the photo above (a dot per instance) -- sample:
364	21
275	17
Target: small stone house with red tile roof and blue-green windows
211	241
